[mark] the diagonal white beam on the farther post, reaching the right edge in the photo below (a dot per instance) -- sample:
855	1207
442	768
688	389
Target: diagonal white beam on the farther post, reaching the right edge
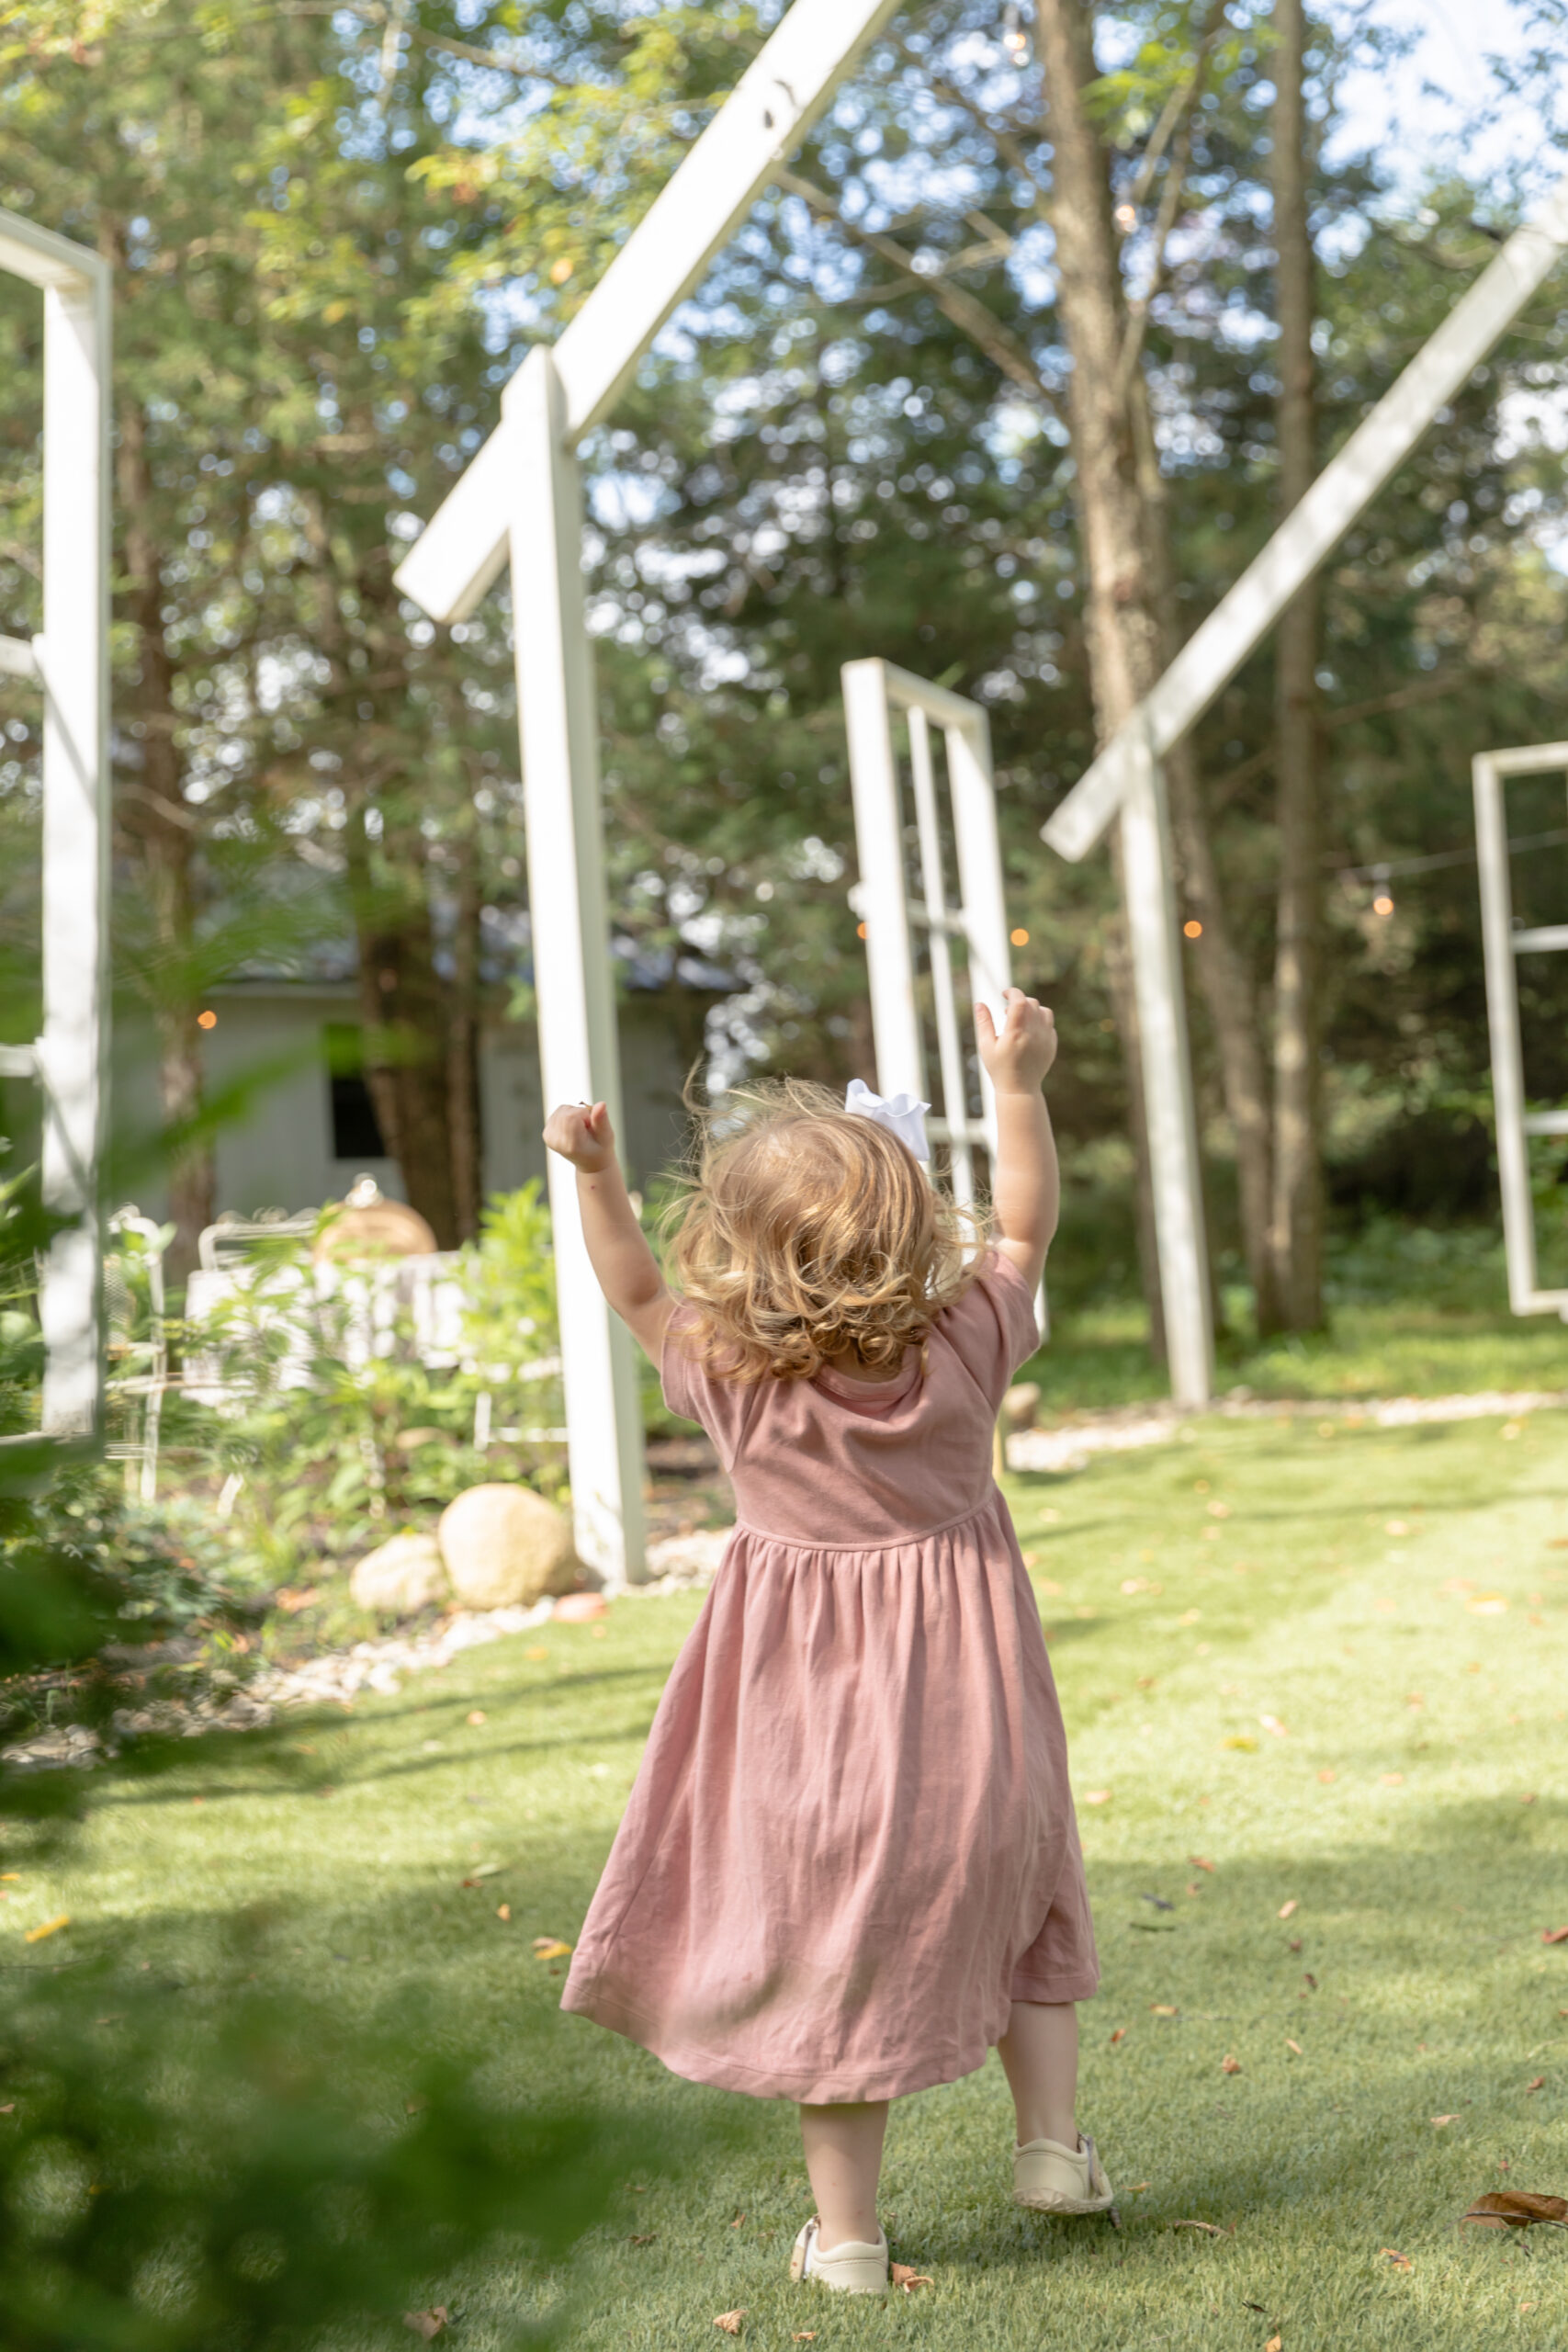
1308	535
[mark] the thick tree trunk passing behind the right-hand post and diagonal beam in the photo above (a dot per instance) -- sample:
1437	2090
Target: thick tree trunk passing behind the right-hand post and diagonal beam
1120	622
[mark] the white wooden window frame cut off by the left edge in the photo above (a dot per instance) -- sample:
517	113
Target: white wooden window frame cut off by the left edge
69	660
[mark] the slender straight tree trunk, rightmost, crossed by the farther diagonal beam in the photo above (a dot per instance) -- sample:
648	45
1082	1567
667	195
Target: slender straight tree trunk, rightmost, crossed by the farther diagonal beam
1296	1227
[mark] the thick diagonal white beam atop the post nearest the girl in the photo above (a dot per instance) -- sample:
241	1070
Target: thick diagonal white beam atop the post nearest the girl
758	128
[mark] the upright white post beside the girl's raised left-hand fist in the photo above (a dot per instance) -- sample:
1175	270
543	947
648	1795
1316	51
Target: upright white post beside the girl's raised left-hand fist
572	973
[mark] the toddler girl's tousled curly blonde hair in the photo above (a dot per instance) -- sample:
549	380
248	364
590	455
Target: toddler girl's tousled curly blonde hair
805	1234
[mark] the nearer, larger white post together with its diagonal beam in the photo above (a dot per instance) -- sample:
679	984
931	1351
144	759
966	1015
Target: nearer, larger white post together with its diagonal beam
521	497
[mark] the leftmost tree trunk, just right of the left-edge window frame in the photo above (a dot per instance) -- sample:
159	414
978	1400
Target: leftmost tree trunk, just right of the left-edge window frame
163	827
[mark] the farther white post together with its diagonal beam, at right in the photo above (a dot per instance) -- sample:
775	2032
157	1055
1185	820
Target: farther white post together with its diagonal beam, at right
1127	777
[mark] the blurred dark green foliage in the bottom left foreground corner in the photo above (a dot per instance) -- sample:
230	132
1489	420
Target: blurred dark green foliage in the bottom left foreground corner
264	2177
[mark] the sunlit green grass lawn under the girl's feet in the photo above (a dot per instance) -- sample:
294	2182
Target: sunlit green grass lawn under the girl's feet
1329	1662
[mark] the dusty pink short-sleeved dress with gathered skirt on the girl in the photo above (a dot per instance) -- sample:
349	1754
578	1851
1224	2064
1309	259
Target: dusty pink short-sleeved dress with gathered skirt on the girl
852	1843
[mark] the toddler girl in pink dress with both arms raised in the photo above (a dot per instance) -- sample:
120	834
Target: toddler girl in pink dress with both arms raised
850	1862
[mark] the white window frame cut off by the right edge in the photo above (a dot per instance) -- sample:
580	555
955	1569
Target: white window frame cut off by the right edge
1503	951
